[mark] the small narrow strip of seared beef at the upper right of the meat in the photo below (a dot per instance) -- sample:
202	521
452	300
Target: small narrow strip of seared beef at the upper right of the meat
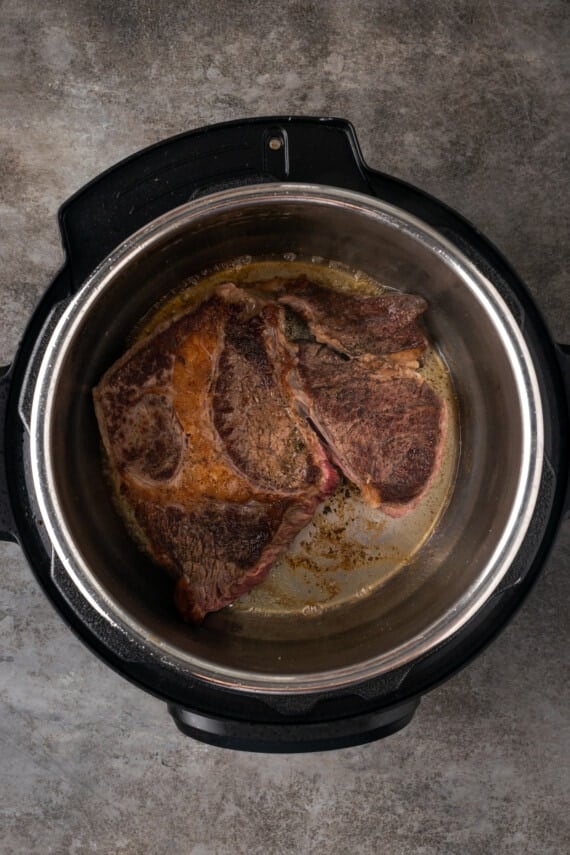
357	324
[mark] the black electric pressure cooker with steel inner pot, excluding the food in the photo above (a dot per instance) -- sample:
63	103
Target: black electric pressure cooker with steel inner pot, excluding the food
295	187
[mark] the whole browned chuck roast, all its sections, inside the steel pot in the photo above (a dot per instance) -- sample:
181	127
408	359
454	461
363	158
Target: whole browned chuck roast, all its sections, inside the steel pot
214	427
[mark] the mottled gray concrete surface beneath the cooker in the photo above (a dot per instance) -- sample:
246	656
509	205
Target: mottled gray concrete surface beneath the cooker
469	100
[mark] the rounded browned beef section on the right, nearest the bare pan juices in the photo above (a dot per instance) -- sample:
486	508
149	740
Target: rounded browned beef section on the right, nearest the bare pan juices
384	426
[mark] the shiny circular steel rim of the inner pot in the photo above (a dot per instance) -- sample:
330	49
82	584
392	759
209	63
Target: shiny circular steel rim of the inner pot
74	315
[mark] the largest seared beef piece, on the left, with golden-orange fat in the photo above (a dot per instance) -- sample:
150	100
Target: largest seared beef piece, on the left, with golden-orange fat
213	502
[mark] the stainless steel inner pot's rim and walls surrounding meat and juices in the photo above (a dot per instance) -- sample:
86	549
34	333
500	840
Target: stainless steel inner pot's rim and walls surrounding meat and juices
499	465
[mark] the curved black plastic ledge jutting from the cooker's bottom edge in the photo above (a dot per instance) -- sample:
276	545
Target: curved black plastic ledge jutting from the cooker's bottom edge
285	737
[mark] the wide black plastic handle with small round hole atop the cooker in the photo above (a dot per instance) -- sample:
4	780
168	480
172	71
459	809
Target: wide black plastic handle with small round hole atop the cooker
137	190
